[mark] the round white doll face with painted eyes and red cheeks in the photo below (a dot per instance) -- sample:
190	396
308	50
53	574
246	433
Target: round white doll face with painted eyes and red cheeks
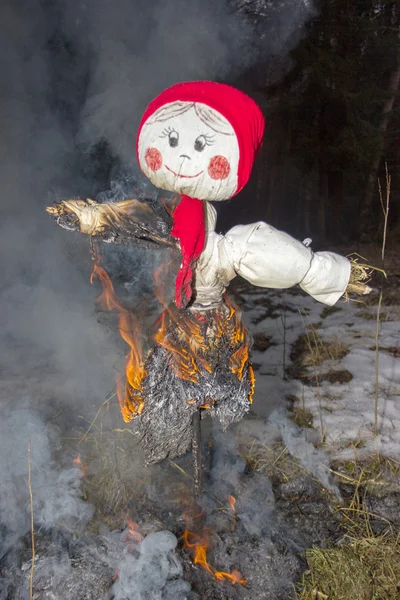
190	149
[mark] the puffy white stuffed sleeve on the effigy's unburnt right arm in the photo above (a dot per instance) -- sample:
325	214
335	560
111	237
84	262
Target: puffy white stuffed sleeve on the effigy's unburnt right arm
273	259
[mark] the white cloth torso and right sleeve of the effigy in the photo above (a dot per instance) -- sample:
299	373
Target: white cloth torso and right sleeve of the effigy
267	258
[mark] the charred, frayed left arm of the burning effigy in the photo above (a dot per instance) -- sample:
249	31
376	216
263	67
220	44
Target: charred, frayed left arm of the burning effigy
129	222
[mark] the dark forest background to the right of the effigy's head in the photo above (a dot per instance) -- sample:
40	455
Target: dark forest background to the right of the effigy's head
333	108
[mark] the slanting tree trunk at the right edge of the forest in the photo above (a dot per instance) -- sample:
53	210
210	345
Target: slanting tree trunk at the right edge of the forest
372	185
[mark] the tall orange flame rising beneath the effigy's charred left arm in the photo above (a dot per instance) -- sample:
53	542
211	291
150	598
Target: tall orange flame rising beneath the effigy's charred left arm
130	398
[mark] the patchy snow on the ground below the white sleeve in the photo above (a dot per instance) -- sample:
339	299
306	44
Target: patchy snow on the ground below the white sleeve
344	412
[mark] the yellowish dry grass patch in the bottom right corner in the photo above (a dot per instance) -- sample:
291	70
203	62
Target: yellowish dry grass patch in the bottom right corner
365	565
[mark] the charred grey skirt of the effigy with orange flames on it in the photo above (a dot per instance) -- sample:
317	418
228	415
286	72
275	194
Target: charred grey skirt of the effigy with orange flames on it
200	362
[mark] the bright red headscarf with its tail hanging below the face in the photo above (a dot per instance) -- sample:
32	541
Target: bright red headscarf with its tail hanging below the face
247	120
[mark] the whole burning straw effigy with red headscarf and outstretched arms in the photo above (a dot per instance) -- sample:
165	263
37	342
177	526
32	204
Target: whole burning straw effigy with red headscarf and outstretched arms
198	140
